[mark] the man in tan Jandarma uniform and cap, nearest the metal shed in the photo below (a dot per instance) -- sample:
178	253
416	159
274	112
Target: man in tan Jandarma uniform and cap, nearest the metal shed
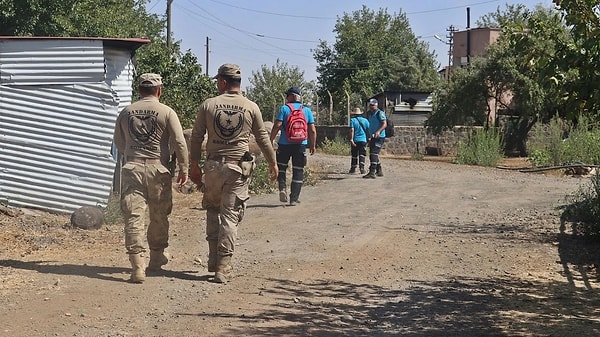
145	134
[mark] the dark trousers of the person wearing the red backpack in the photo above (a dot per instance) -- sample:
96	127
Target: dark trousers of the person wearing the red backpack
297	153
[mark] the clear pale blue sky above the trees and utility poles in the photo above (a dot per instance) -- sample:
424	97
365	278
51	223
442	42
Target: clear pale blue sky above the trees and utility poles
256	33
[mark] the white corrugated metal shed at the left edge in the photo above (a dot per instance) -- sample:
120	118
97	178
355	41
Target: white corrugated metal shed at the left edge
59	99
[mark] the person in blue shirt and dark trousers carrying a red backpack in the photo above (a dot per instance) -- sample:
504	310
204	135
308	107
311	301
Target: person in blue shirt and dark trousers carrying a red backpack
297	125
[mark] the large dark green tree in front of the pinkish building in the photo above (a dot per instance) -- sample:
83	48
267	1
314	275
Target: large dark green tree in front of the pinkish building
517	79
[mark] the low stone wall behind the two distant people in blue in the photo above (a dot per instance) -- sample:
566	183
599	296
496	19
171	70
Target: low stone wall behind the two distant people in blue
407	140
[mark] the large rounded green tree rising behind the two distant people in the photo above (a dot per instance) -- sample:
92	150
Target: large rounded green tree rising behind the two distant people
373	52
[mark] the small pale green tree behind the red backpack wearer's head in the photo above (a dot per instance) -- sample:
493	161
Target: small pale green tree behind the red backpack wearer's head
268	85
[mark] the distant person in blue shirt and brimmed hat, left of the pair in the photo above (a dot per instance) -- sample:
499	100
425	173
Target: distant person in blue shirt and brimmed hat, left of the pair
359	135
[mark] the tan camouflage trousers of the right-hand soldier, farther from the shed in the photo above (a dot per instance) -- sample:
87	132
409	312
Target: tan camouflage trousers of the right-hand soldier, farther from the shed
225	196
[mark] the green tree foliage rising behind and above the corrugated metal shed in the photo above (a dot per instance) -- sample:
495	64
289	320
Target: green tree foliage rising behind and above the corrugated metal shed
184	84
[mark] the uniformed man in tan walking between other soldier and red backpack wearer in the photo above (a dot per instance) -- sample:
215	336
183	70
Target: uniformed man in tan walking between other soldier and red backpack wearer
227	120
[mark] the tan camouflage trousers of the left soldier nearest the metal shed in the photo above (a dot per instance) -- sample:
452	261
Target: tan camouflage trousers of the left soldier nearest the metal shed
146	186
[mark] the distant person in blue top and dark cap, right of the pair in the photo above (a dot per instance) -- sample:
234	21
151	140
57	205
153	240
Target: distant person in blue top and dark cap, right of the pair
377	124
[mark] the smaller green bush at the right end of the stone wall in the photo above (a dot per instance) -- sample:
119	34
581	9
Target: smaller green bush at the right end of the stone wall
483	147
